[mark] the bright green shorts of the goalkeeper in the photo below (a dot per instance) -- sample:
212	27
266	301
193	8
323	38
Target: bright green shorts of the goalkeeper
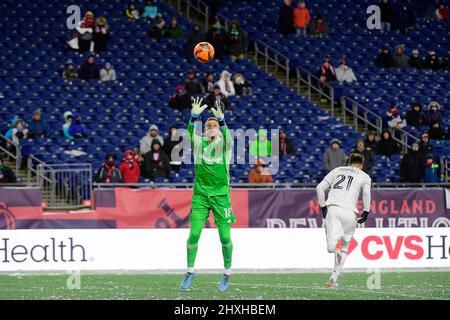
219	205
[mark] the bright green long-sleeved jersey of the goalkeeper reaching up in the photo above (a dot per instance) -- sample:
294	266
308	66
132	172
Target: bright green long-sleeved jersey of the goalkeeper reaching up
212	161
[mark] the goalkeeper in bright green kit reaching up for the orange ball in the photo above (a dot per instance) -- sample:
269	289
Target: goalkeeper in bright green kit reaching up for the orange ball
212	156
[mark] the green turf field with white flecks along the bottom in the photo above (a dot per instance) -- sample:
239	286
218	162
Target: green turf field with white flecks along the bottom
394	285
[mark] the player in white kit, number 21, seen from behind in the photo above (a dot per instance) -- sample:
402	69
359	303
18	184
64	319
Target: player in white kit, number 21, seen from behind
339	210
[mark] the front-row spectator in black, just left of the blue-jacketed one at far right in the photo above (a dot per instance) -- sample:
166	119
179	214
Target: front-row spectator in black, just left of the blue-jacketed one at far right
412	165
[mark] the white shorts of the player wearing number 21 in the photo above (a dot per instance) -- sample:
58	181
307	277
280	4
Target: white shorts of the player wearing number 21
340	224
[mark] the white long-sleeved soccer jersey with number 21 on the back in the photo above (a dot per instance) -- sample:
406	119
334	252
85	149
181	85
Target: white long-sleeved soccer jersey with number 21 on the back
345	186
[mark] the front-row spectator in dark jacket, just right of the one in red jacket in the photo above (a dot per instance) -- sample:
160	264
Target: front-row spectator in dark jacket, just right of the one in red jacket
156	162
